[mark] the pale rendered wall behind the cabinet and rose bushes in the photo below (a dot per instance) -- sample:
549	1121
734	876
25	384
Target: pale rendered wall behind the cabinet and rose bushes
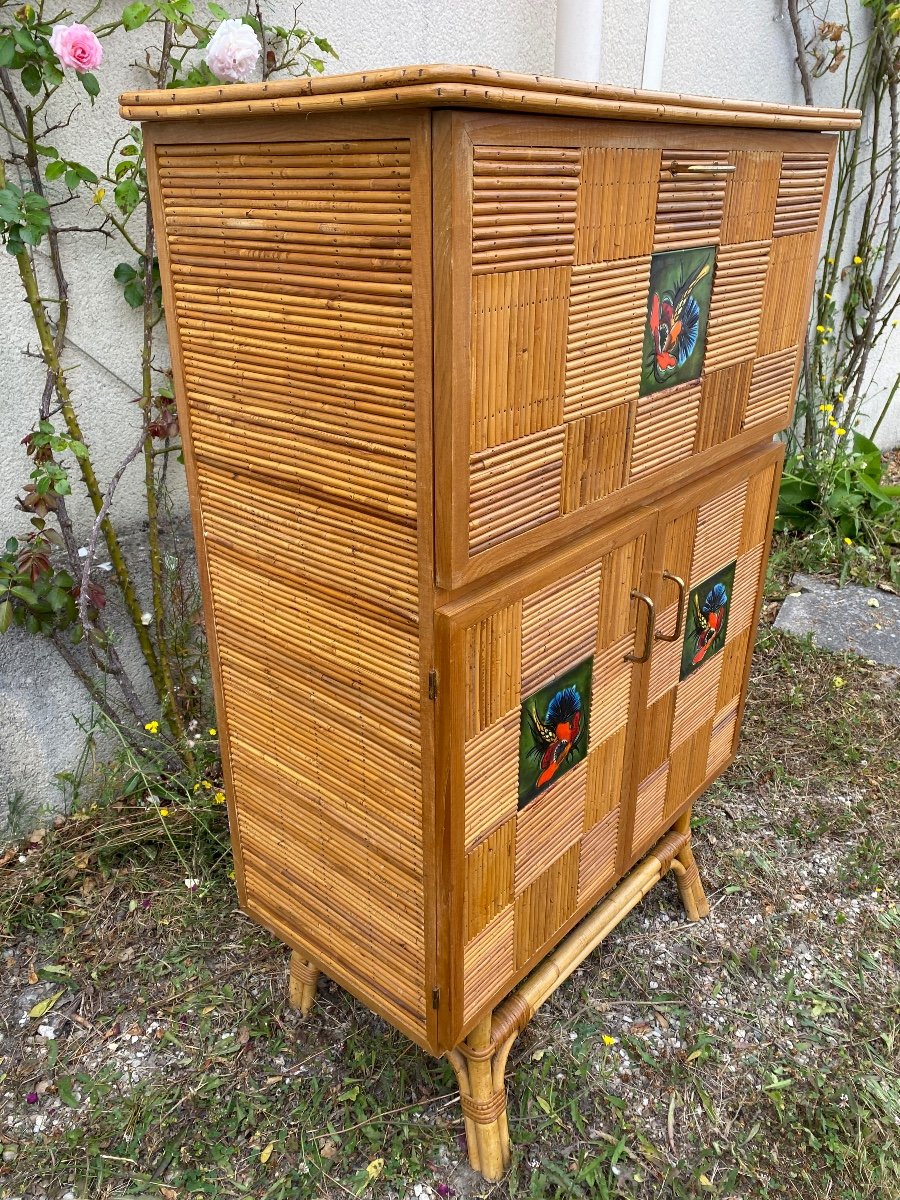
717	47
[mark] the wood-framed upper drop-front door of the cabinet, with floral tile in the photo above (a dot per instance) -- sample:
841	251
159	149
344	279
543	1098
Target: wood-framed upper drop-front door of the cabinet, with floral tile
566	389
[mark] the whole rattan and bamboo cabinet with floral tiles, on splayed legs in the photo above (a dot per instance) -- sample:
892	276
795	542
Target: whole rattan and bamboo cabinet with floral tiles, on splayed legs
478	377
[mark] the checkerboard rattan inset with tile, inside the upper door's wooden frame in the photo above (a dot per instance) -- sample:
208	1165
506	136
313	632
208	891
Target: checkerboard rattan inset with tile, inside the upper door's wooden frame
575	395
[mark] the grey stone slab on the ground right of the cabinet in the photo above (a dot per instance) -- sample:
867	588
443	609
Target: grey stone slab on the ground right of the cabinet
863	621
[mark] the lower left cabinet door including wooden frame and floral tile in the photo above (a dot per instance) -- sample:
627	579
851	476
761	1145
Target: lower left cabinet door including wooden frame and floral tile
537	682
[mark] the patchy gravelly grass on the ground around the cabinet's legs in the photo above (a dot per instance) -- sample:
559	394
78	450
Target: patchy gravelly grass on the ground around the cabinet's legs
755	1054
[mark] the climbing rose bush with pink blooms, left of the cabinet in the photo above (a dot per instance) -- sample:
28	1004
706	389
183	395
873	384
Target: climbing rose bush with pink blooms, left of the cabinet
51	584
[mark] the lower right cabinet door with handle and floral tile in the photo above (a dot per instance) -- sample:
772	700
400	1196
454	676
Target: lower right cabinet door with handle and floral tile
712	548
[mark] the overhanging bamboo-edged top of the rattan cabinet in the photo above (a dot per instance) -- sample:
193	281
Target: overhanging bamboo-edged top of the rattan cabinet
469	87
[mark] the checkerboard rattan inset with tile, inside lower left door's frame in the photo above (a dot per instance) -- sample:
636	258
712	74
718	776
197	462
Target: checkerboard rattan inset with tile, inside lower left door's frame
543	821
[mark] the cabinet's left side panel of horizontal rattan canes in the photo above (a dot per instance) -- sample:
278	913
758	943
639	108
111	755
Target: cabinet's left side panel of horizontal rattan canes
291	268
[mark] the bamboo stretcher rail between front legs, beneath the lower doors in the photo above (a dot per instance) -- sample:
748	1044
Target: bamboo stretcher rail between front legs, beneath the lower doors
518	1010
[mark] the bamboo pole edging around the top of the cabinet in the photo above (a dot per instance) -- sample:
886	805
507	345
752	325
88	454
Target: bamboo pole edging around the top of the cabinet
404	79
